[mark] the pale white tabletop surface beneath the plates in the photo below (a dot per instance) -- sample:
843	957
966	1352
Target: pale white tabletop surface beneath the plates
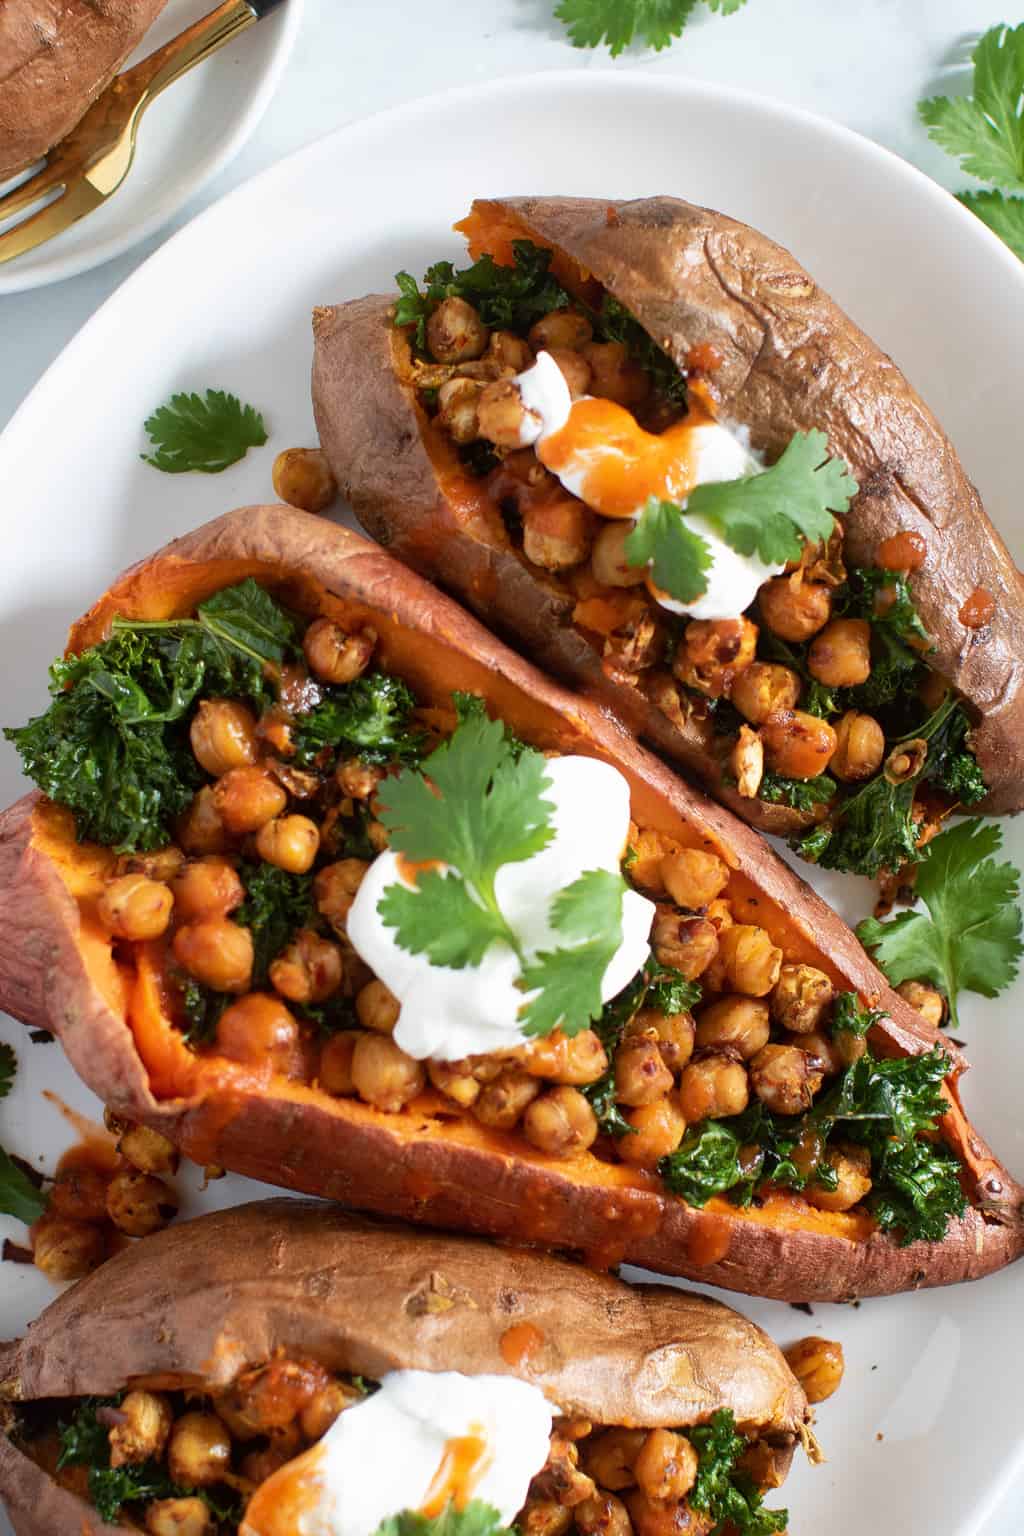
864	64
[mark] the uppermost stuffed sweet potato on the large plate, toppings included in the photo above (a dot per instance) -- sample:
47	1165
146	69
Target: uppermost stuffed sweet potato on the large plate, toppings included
847	681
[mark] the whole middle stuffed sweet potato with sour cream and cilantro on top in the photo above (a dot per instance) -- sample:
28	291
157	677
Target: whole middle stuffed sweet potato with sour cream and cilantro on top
306	910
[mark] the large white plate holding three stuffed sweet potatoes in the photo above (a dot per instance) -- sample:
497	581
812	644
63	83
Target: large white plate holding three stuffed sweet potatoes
928	1429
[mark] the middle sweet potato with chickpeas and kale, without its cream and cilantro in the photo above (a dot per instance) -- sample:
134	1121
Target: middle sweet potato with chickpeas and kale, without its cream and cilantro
314	1096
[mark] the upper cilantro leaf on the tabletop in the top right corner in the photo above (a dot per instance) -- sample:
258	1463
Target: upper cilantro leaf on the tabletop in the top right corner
986	130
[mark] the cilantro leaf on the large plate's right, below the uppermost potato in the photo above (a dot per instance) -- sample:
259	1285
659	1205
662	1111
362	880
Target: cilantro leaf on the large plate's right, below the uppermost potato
971	941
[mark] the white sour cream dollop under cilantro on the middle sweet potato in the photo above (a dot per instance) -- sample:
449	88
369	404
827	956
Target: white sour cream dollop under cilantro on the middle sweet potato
449	1015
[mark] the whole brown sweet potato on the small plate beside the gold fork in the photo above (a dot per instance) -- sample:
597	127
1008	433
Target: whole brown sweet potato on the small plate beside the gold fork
56	58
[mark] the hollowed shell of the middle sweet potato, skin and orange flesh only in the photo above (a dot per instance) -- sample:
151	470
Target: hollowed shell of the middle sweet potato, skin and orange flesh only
426	1164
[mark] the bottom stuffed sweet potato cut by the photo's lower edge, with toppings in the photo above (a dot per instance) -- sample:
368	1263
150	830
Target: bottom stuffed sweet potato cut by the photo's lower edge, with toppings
171	1394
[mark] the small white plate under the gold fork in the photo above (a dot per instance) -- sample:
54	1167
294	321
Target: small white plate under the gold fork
191	133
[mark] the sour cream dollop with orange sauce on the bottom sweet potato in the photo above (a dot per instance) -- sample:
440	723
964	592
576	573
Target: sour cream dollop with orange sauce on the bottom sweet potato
423	1438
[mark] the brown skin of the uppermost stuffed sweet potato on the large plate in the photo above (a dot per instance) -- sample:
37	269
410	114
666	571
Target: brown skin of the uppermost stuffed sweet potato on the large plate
788	360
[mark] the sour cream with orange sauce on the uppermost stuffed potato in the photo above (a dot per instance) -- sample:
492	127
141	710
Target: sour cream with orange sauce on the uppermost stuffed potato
707	452
